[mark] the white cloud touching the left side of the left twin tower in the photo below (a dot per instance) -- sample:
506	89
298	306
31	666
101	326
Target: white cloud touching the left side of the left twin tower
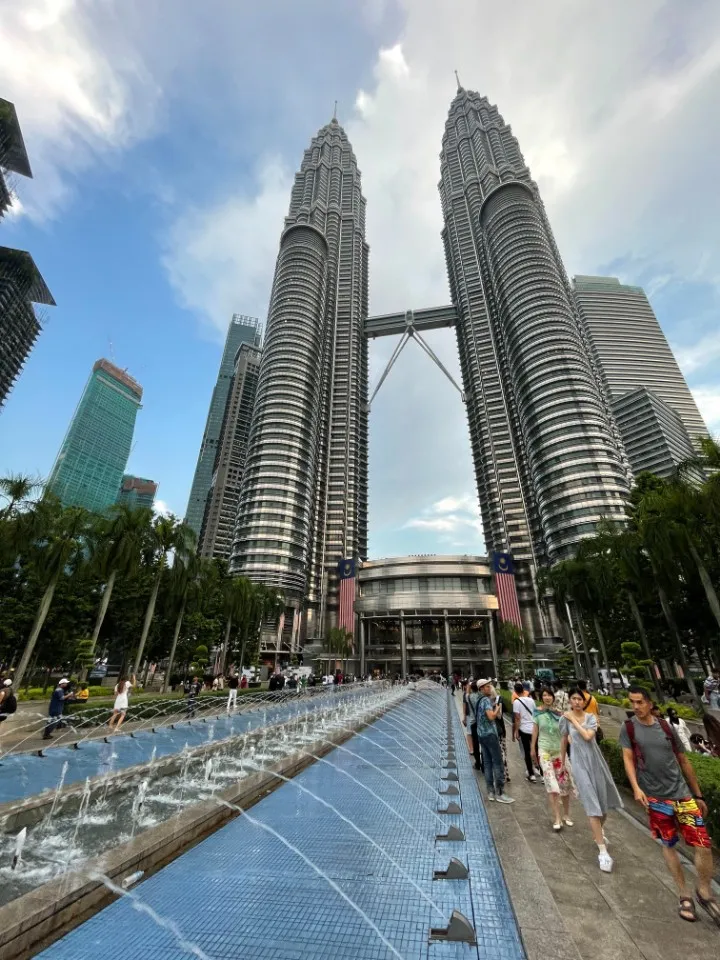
220	259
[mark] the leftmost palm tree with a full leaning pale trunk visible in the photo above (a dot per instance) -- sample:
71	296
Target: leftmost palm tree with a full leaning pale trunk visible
53	539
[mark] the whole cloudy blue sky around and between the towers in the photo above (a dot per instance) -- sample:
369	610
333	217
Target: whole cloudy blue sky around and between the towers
164	135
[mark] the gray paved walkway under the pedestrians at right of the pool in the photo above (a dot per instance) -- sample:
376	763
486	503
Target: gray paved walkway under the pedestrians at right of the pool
567	908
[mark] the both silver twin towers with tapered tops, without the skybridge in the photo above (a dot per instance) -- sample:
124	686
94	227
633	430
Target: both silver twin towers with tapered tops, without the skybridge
548	461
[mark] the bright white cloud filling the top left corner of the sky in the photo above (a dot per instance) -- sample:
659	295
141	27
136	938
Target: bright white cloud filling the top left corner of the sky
77	92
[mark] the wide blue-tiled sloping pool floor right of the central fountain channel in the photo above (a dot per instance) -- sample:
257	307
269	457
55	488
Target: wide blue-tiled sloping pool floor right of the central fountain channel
244	892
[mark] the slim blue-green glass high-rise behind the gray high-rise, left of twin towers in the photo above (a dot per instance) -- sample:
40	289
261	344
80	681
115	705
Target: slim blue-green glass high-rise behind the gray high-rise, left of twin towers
241	330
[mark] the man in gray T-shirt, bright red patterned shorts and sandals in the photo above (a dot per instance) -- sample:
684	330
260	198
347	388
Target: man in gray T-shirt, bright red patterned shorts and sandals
659	774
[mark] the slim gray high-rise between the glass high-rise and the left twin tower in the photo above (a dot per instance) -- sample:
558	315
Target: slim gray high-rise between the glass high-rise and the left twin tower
218	527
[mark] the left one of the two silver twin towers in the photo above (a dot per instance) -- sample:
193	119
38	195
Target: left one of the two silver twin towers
303	503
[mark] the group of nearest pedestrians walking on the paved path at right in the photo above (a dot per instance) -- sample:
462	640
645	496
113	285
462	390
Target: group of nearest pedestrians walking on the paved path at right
558	732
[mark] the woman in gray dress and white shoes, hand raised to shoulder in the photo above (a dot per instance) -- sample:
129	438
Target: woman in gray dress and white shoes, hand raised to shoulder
593	780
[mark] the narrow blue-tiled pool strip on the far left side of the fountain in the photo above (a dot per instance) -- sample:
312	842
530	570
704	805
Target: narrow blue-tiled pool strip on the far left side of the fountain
24	774
